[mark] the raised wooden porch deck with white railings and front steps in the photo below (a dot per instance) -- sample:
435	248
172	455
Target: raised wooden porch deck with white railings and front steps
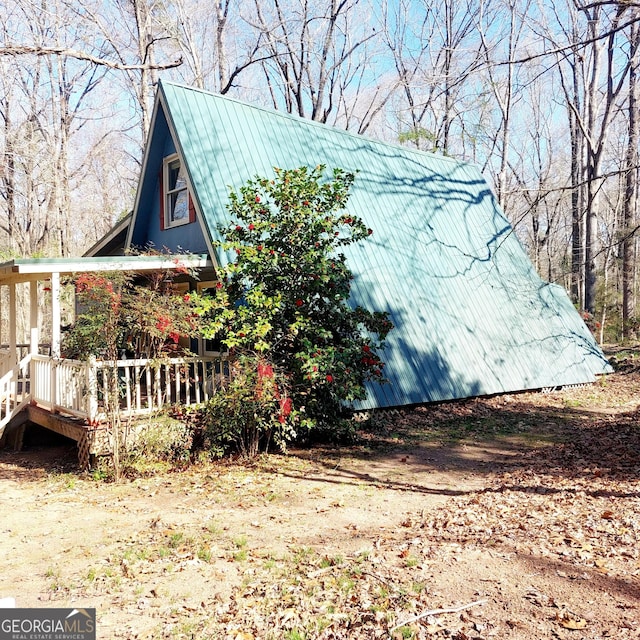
69	396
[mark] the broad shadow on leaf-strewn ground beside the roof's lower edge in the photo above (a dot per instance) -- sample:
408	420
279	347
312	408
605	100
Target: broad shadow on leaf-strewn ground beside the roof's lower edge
482	437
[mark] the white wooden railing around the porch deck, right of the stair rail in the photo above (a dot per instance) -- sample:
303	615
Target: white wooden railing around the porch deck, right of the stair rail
80	388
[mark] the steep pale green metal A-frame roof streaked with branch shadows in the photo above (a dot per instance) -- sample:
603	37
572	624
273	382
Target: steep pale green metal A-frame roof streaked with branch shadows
472	316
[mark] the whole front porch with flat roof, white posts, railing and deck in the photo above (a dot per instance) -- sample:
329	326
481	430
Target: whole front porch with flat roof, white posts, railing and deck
69	396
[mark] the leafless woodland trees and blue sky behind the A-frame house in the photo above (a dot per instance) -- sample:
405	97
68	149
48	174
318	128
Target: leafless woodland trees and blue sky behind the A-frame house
541	95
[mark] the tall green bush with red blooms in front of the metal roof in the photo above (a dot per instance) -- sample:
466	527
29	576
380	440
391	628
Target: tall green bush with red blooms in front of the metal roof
283	297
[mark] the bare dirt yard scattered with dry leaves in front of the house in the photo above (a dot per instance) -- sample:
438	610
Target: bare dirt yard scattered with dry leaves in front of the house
515	517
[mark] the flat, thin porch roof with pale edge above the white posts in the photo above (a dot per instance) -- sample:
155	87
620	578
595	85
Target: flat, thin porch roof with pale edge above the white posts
28	269
